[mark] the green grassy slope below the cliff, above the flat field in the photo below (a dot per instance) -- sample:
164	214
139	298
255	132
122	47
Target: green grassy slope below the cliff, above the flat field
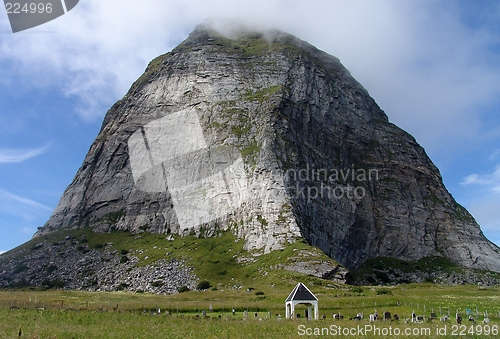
221	260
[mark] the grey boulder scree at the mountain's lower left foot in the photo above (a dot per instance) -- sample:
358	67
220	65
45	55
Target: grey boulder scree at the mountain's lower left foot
68	266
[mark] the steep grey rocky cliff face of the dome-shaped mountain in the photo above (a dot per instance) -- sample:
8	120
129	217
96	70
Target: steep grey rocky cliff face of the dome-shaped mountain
268	137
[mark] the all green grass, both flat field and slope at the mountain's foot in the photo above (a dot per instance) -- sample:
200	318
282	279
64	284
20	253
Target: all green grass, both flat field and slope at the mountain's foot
242	281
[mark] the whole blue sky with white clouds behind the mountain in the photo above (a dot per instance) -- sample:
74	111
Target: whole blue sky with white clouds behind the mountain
433	66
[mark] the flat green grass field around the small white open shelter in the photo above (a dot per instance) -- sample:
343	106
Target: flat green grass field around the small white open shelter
73	314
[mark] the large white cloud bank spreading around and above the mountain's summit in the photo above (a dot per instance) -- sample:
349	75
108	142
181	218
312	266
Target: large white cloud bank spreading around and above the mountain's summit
425	67
